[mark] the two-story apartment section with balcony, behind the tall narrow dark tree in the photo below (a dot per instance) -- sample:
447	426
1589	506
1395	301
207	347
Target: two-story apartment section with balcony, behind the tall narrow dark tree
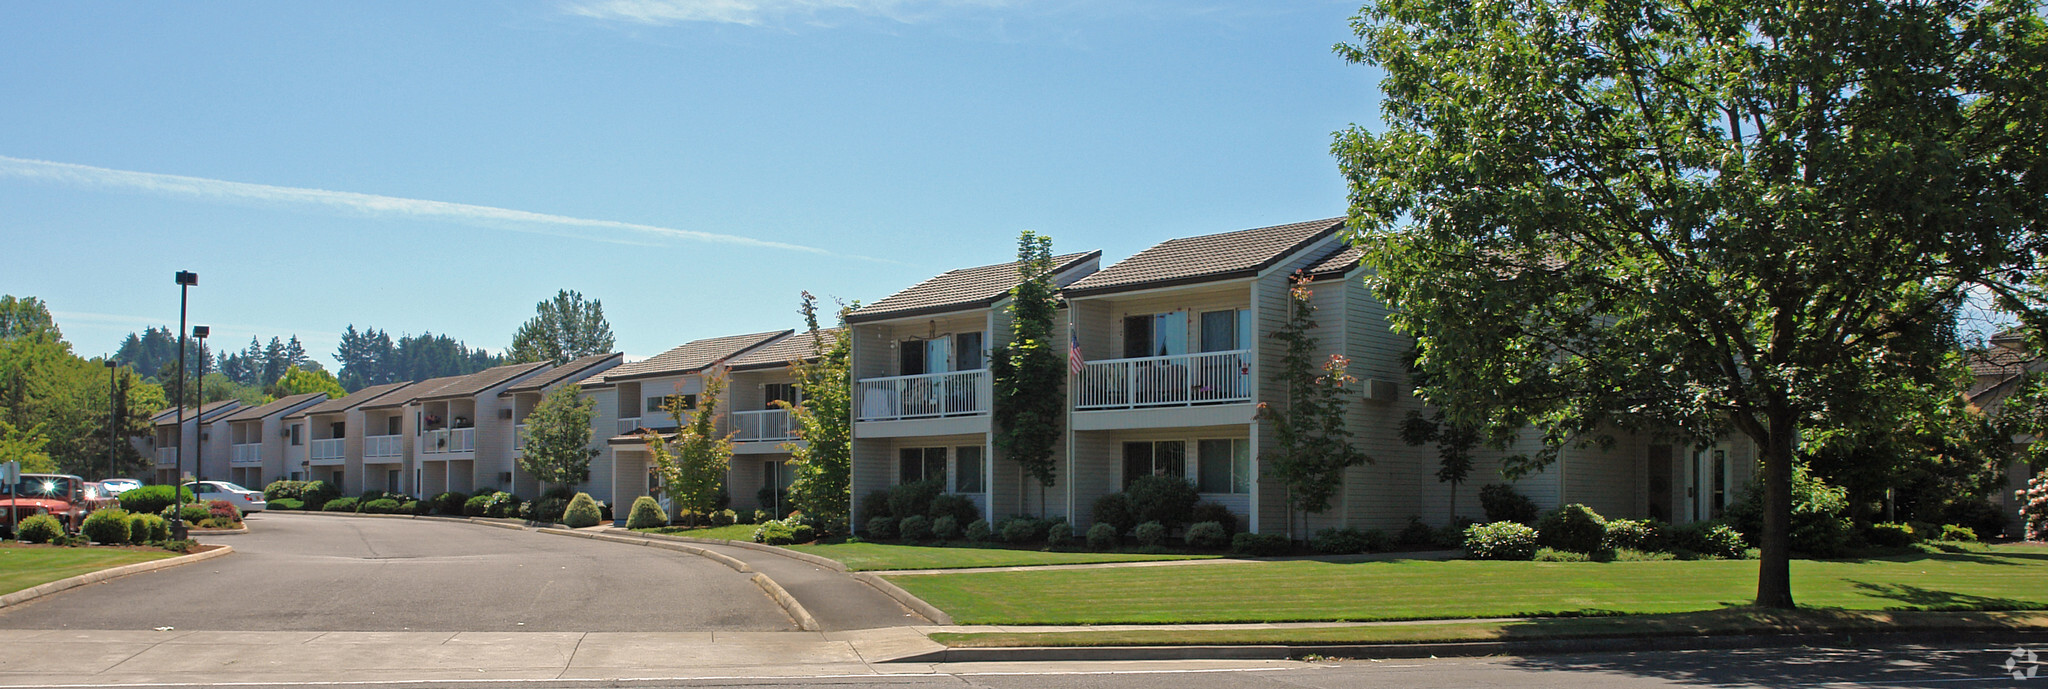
923	391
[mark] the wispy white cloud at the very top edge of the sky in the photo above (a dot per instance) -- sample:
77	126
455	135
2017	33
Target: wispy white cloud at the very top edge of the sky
755	13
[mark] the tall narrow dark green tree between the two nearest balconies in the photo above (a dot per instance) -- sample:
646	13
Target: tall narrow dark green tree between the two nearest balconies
1031	370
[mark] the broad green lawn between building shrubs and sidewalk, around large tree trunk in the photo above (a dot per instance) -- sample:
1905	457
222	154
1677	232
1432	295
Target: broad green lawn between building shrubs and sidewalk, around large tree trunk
2000	577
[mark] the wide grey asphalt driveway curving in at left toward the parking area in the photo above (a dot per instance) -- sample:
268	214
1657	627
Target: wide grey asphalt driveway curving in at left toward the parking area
314	573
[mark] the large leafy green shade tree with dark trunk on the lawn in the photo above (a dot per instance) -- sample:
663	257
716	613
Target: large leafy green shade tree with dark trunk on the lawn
1697	216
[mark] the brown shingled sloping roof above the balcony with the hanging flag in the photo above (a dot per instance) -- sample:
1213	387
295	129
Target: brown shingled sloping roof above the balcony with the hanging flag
1203	259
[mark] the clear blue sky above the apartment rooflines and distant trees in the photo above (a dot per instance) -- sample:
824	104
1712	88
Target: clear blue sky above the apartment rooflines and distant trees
693	163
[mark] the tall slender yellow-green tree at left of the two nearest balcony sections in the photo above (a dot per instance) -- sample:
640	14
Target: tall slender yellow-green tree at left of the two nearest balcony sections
824	462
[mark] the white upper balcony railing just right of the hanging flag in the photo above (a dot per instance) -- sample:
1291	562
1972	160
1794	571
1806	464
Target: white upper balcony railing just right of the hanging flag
1175	380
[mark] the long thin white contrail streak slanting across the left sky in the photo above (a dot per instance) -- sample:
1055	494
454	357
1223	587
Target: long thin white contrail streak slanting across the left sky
212	190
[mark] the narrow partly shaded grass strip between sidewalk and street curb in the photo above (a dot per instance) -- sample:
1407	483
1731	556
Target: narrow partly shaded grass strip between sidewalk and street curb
1547	629
